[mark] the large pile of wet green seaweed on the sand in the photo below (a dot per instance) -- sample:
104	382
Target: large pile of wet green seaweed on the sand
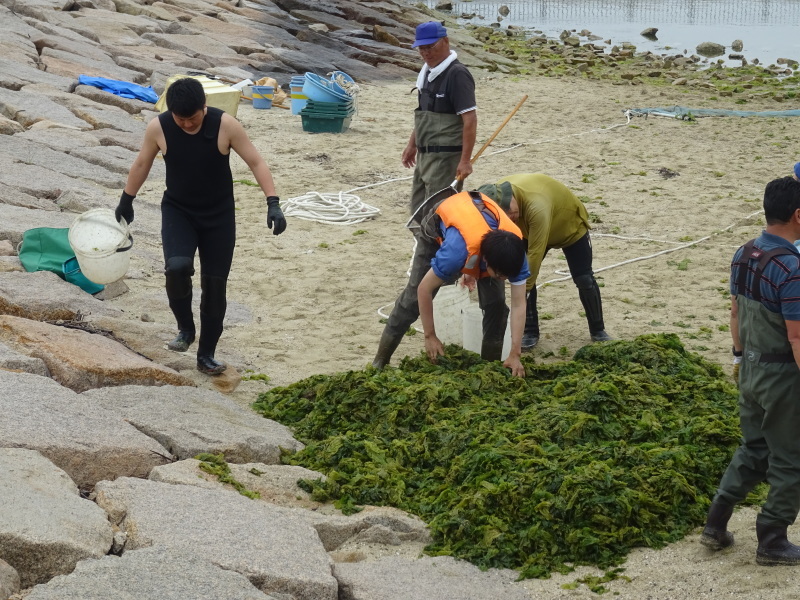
576	464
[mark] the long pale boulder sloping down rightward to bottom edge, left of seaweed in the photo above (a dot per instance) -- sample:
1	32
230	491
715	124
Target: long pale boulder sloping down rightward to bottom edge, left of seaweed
277	553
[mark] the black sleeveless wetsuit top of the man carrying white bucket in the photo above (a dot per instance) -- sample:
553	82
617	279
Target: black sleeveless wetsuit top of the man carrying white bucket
199	177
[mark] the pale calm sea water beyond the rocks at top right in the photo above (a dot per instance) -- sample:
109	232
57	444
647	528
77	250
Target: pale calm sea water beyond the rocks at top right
770	29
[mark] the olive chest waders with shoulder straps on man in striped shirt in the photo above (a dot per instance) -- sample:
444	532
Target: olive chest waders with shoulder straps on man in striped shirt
769	414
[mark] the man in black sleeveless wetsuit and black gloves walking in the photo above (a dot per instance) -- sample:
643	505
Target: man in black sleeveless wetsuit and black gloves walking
197	209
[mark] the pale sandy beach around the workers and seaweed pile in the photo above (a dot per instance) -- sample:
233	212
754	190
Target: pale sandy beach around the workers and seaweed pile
307	302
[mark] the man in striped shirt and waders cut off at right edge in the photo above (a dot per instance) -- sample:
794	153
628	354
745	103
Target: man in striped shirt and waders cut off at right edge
765	327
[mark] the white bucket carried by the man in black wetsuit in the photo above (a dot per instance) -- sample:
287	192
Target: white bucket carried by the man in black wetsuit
101	245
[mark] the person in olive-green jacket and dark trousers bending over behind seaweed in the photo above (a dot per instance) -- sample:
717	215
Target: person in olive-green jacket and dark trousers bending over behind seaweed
551	216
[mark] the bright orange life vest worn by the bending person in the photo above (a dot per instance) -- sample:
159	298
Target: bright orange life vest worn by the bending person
460	211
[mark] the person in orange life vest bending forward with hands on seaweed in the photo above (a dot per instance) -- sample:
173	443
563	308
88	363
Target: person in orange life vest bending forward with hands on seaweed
476	238
